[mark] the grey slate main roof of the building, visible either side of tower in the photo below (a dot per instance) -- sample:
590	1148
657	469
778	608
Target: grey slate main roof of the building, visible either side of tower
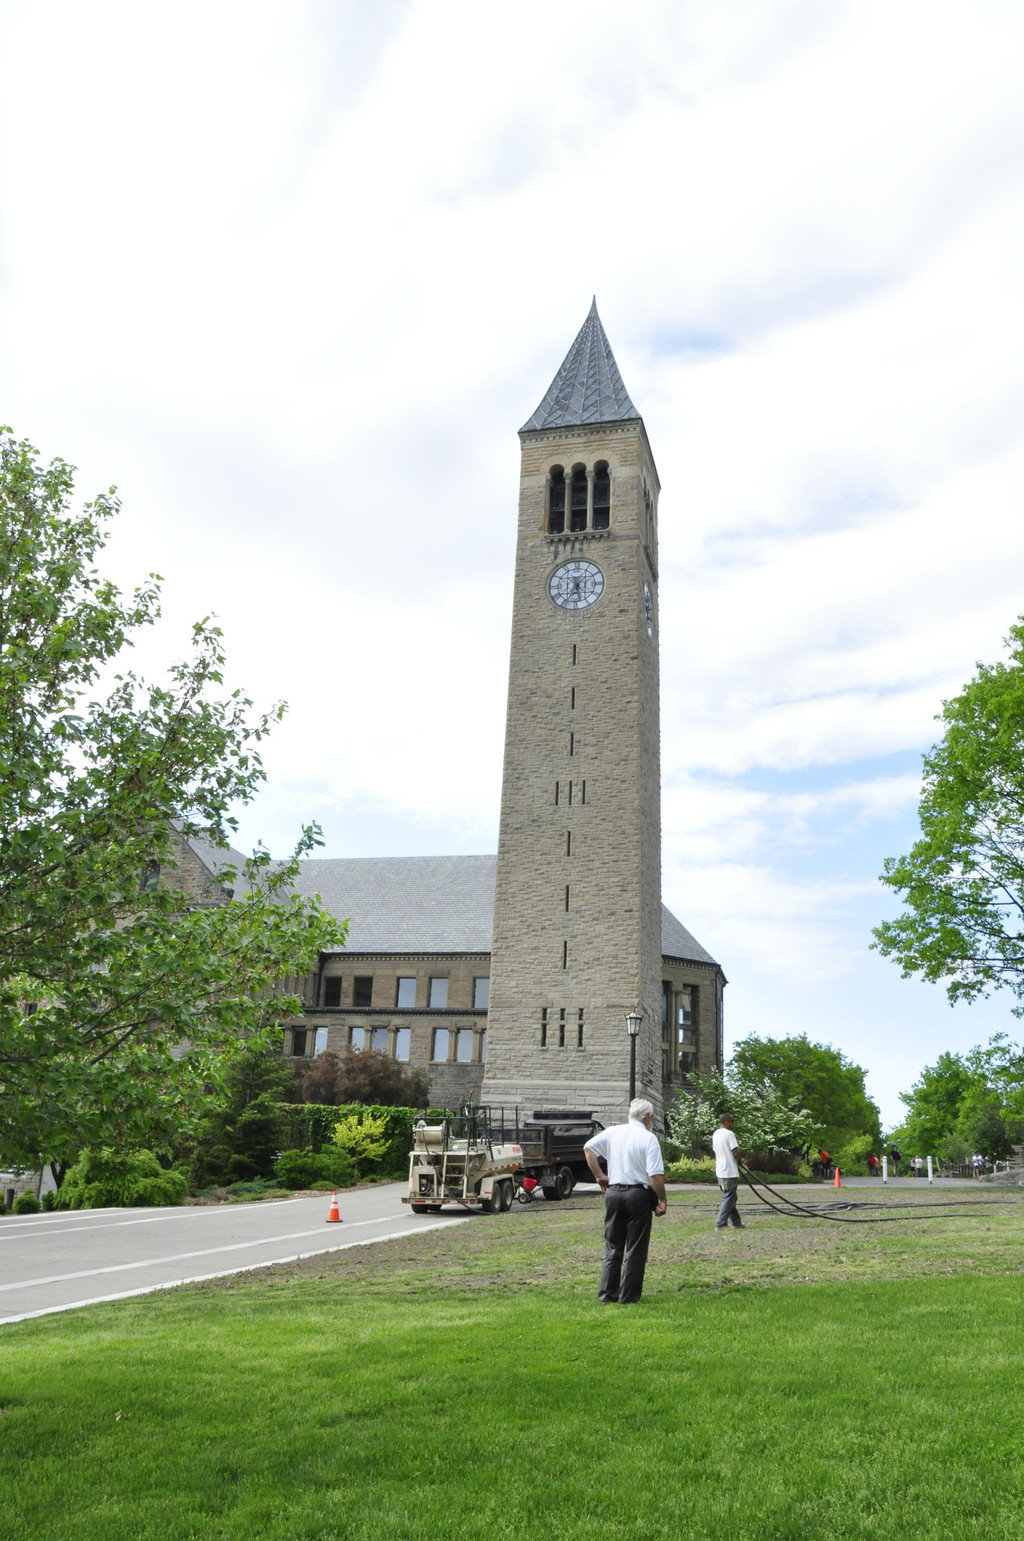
430	905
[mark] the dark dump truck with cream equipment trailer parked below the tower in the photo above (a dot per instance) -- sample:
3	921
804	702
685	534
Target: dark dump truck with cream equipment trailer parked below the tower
480	1157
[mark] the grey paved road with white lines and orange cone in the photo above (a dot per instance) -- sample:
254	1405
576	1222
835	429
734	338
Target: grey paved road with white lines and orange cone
55	1263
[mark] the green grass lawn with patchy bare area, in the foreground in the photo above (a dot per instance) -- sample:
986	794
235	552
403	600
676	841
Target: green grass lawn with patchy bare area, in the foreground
788	1382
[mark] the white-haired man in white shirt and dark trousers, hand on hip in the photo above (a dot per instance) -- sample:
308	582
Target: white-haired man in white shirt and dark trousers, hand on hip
635	1192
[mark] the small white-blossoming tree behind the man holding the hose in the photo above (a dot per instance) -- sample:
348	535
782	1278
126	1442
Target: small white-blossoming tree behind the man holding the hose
765	1121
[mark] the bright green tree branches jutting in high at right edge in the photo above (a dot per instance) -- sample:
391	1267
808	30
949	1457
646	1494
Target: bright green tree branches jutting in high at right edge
963	881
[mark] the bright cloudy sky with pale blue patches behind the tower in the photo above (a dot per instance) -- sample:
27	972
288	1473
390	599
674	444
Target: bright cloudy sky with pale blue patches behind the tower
293	277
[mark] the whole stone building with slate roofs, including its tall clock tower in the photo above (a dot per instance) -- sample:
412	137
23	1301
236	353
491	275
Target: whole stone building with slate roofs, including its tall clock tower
510	978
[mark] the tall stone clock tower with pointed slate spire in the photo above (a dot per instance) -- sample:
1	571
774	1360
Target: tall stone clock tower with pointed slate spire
578	938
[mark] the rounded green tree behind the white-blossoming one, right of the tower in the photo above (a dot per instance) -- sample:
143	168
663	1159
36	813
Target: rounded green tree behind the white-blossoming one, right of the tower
817	1078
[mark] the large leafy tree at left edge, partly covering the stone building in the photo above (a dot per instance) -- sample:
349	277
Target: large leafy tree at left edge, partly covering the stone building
119	999
